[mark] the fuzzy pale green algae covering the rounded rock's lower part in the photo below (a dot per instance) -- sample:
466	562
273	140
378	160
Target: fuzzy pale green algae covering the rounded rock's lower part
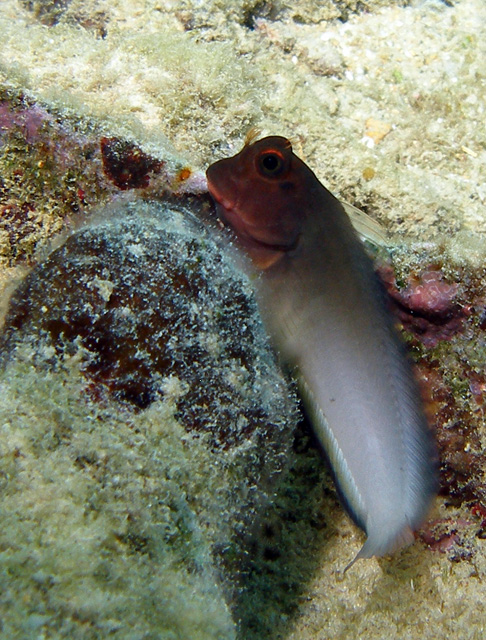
73	505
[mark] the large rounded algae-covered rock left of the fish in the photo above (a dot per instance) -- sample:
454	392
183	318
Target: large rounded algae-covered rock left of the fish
145	425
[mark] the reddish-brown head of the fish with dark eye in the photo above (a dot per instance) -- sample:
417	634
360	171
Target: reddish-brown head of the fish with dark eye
263	193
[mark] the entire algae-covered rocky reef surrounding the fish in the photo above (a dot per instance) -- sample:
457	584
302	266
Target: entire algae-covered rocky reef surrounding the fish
130	507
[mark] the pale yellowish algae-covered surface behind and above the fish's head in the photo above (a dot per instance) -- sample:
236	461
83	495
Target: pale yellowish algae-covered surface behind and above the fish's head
148	81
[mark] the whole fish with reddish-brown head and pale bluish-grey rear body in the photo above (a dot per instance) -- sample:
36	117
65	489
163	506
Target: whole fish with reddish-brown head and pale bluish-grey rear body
326	313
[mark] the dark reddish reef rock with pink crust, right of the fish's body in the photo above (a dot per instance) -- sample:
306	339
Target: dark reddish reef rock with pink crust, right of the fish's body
441	306
